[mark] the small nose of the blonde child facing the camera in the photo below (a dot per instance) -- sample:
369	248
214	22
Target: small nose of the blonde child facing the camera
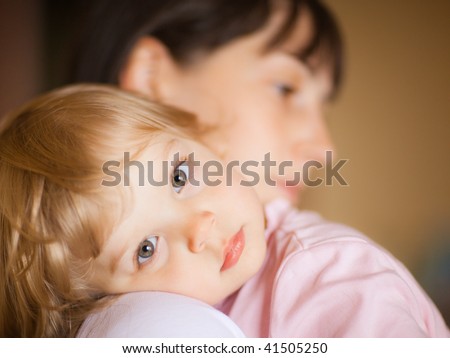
200	229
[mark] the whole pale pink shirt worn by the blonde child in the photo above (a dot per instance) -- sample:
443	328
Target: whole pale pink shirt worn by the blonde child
322	279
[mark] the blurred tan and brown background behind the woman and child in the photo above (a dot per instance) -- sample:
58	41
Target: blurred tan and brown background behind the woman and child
392	120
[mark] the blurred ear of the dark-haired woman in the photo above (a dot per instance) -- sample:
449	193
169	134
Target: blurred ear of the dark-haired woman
149	69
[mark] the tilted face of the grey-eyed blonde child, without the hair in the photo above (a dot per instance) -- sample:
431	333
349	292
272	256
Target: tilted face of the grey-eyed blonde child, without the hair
201	241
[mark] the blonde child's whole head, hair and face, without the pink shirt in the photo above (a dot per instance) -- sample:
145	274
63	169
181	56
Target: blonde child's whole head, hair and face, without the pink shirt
71	239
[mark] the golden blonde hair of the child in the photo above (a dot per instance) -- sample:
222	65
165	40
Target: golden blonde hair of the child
52	216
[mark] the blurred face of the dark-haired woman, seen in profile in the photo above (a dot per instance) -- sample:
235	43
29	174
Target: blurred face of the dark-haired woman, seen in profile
260	102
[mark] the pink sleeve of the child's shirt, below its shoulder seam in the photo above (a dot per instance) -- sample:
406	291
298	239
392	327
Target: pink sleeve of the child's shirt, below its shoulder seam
350	288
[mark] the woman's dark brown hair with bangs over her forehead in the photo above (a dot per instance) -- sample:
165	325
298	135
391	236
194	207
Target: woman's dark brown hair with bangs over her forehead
186	27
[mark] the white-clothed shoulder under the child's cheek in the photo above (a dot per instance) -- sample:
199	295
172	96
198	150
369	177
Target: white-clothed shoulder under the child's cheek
158	315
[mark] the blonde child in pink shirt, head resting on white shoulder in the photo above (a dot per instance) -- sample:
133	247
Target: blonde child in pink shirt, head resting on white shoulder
81	225
